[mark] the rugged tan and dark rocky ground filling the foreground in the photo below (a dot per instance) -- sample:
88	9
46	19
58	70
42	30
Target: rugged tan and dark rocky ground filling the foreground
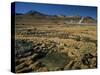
39	55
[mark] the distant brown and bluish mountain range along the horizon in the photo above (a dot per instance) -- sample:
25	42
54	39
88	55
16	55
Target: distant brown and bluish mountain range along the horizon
33	16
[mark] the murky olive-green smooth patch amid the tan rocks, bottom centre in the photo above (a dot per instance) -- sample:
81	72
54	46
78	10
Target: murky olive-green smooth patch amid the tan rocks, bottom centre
55	60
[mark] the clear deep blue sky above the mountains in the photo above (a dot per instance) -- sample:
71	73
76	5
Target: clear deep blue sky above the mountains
56	9
